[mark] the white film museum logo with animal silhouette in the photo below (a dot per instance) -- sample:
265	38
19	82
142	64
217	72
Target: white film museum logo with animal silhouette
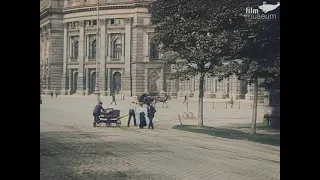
254	14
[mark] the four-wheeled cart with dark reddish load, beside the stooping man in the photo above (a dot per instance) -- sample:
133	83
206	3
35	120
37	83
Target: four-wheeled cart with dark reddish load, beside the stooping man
109	117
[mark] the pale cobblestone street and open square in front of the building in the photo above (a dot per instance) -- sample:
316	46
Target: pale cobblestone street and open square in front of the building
70	148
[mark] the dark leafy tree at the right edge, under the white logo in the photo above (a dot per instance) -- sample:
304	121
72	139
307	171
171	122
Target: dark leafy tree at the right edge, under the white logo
259	50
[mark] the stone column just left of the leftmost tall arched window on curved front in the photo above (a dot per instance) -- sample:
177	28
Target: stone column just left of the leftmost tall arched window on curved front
64	82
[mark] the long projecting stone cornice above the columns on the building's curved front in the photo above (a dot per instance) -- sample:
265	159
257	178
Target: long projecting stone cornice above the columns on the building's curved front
93	8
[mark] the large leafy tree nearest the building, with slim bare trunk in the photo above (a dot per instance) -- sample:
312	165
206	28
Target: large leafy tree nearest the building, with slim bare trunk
199	33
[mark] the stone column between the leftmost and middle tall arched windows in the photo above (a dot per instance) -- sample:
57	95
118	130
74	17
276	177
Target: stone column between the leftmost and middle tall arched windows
80	79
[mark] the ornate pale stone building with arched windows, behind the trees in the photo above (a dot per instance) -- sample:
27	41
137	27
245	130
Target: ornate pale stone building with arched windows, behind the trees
129	62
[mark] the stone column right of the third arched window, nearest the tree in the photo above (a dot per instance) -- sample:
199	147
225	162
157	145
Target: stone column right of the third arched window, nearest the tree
127	59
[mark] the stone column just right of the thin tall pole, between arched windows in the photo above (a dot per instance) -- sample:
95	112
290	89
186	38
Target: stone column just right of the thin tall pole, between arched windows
102	79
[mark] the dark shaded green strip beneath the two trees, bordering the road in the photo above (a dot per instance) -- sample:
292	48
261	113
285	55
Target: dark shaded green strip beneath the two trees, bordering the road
273	139
